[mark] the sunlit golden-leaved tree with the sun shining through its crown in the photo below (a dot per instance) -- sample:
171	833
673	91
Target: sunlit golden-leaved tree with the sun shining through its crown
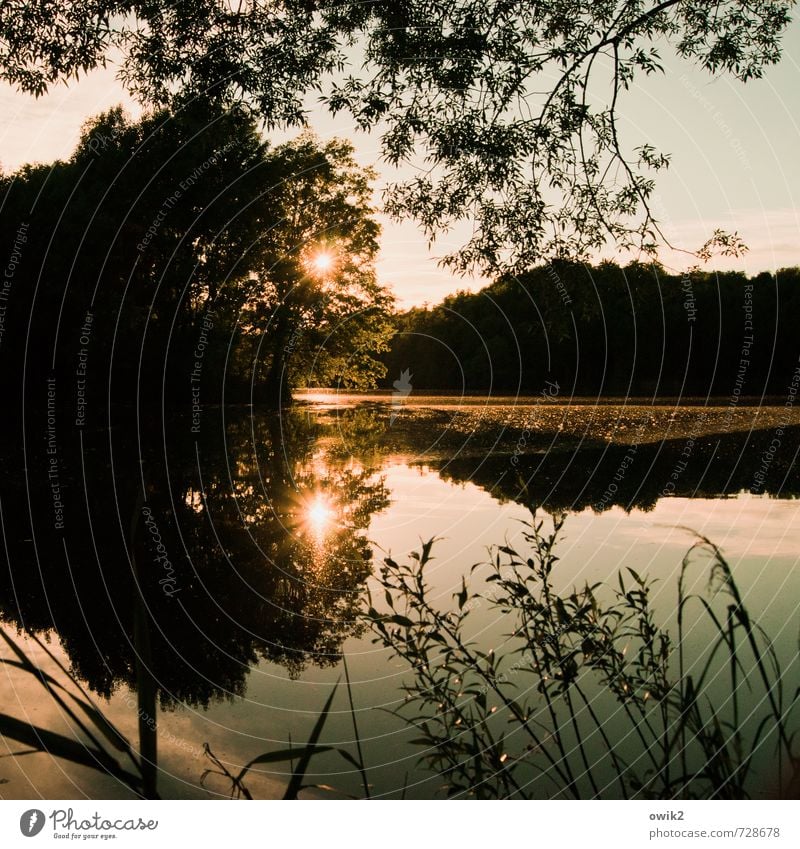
318	314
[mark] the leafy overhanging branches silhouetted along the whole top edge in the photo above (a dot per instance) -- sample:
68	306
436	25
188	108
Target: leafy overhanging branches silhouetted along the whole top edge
512	105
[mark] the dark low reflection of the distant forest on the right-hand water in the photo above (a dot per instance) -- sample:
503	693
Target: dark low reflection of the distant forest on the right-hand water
564	472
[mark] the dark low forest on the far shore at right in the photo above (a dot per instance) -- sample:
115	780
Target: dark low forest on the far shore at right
607	330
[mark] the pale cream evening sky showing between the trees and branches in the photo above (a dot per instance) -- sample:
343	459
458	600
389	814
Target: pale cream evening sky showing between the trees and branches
734	164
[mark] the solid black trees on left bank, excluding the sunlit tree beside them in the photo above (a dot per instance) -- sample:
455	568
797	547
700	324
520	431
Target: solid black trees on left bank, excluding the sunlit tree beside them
140	228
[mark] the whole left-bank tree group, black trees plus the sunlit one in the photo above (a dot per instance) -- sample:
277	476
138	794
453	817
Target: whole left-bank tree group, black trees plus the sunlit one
191	241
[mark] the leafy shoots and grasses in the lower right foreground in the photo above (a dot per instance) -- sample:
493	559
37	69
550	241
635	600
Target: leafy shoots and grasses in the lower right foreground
590	696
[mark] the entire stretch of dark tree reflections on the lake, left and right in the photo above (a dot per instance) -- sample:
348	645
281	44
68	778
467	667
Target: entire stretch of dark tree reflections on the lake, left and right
264	521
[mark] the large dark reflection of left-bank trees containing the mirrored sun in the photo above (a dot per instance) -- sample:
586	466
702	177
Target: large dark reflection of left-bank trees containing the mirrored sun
243	572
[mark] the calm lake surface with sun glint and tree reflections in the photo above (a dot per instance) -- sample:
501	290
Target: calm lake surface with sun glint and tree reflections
251	541
